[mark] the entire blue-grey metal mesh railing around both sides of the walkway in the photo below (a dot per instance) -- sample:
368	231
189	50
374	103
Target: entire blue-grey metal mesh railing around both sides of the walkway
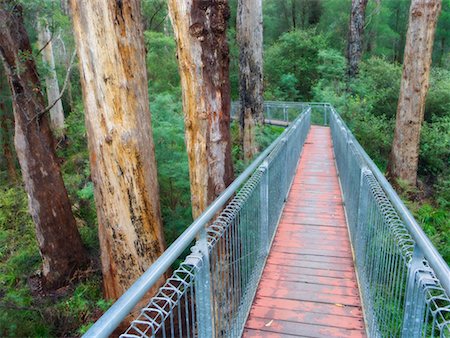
404	282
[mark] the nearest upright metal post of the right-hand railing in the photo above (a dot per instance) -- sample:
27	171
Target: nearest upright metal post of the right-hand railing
414	306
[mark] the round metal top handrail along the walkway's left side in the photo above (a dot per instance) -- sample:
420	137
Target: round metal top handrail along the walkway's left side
125	304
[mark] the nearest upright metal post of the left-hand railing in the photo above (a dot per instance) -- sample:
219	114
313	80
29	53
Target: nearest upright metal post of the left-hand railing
203	295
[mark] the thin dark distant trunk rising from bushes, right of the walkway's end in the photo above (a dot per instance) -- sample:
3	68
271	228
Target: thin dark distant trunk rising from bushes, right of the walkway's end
355	36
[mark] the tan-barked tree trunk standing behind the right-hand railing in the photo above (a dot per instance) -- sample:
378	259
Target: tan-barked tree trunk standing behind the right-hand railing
404	156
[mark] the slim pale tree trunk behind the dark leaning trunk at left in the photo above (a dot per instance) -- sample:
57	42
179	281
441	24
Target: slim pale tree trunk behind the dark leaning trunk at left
51	79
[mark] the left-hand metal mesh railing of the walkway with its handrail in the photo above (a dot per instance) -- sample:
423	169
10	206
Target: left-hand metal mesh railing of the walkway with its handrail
210	293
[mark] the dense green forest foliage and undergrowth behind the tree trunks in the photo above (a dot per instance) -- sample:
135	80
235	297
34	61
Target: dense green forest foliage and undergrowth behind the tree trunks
304	60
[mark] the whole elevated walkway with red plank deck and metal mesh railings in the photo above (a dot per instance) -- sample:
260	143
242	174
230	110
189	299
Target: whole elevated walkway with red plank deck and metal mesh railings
310	241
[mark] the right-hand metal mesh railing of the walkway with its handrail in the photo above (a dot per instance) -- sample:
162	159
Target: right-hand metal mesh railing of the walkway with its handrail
404	282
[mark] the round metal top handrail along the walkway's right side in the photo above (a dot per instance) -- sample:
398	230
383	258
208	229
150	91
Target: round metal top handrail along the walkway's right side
437	263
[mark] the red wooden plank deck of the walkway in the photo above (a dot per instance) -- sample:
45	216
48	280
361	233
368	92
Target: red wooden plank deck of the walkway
308	287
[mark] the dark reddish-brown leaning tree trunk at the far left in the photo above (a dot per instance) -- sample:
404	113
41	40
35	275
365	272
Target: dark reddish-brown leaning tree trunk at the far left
59	241
